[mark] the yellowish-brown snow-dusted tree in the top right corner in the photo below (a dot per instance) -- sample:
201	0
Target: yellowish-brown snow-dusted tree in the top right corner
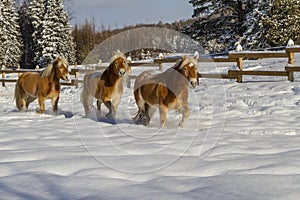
282	22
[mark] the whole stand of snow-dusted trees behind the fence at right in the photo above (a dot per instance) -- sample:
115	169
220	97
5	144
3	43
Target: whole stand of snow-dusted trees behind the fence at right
253	23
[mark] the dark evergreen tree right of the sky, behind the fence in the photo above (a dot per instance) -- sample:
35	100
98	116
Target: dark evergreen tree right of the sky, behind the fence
218	22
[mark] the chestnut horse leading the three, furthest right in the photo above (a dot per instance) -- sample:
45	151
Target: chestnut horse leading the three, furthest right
166	90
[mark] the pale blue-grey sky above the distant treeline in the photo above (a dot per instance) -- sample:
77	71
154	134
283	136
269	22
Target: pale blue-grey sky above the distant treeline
119	13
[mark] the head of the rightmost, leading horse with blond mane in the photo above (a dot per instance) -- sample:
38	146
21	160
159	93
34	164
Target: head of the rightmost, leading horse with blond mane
188	67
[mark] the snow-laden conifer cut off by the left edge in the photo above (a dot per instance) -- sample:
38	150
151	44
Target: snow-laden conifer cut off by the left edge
9	35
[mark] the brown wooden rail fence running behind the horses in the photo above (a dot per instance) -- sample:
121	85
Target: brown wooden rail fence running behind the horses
237	57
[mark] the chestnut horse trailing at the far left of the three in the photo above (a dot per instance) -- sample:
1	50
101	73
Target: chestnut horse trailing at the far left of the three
42	85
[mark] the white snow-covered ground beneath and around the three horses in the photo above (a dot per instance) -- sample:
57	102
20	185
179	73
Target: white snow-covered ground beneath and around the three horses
241	142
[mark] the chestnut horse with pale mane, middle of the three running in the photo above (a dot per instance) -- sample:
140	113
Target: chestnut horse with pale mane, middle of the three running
106	87
